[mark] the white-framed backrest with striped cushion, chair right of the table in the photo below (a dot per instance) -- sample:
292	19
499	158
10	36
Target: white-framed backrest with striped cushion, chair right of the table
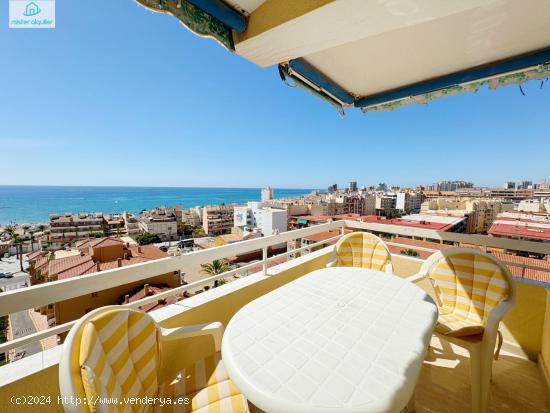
469	282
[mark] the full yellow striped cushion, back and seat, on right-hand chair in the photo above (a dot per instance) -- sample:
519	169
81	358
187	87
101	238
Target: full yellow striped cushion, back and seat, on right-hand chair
469	287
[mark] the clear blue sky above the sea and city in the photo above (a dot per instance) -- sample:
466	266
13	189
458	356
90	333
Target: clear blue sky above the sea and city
117	95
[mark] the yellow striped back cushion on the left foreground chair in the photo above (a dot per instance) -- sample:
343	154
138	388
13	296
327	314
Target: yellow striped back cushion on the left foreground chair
119	358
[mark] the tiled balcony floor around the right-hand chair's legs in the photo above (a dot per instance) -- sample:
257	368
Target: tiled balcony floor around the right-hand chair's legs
444	384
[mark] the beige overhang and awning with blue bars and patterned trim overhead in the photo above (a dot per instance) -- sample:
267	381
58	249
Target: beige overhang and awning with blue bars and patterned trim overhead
381	54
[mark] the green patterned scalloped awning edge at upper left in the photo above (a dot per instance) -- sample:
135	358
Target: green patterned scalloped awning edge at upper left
195	19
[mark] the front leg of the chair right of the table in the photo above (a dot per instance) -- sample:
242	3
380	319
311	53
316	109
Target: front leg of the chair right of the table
481	363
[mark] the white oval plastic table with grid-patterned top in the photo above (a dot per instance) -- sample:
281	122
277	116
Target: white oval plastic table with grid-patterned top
338	339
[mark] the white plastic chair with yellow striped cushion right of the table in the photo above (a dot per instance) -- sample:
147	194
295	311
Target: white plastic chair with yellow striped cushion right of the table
477	329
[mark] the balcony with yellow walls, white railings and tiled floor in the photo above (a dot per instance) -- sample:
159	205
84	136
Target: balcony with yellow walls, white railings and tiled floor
520	375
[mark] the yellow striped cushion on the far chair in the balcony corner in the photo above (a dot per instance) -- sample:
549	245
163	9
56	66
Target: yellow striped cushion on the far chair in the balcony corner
362	249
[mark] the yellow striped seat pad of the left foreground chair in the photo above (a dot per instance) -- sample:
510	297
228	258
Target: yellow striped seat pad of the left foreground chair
207	386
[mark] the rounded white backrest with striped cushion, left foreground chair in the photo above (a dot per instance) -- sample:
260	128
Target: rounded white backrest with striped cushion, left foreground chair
112	352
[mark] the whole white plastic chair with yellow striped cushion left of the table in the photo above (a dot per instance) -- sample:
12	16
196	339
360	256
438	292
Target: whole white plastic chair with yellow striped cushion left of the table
120	353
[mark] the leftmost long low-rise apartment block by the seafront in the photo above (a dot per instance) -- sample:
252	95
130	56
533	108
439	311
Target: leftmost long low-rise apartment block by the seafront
67	228
